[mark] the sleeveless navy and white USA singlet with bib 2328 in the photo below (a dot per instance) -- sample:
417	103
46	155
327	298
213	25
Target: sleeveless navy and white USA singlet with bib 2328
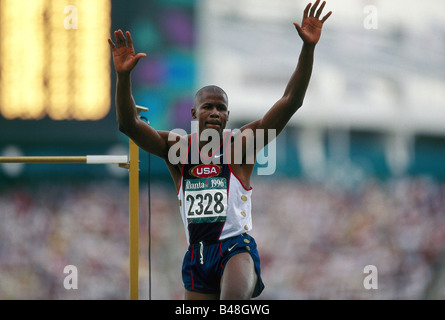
213	203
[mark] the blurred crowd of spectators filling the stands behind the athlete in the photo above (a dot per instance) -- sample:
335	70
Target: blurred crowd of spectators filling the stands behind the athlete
314	240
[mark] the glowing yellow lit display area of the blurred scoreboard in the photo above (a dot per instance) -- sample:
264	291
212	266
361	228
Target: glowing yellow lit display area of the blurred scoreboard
54	61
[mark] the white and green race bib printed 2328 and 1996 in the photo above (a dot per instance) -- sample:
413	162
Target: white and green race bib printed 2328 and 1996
206	200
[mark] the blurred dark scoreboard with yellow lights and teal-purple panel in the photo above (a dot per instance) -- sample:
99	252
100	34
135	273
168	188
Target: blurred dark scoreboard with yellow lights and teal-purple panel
57	79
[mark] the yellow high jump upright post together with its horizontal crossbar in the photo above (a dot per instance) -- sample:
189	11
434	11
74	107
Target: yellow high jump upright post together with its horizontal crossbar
132	164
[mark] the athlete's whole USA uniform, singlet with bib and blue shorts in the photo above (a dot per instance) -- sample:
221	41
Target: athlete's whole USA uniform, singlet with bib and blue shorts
215	208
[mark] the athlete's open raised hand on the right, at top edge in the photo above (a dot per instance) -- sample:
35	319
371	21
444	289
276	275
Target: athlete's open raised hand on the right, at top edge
310	29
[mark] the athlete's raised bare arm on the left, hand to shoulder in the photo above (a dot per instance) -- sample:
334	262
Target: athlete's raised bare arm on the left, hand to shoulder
125	59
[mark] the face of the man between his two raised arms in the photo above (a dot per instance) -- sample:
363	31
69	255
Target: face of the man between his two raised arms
211	111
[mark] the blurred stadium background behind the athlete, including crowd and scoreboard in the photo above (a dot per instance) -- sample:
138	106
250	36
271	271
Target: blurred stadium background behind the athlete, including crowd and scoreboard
360	176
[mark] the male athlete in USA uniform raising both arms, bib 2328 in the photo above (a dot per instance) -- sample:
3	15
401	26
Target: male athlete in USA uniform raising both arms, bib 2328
214	191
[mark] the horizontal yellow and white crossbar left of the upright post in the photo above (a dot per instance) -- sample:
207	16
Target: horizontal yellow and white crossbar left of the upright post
100	159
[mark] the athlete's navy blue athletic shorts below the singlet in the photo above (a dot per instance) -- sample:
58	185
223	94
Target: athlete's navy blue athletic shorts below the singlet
204	263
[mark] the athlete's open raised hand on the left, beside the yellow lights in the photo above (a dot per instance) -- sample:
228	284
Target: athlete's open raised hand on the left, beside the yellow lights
124	57
